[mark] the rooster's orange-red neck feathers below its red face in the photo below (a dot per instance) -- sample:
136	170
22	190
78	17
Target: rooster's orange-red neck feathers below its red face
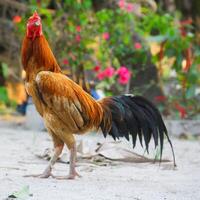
37	56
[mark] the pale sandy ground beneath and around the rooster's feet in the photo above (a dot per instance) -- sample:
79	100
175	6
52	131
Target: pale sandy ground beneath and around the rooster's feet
117	181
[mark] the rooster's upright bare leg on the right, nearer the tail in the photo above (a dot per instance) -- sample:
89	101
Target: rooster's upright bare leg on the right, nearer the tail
72	170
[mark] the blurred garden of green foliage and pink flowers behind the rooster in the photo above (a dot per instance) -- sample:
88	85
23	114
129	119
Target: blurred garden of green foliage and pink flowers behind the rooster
110	47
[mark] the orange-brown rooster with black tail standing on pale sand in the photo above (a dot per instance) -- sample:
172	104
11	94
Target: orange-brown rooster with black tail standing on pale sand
68	110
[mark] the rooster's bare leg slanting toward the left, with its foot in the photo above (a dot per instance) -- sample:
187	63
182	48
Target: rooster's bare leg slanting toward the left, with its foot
54	158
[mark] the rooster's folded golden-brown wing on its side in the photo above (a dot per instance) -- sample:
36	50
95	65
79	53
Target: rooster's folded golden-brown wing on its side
77	109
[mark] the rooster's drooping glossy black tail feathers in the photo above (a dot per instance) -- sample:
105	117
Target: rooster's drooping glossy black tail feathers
135	116
